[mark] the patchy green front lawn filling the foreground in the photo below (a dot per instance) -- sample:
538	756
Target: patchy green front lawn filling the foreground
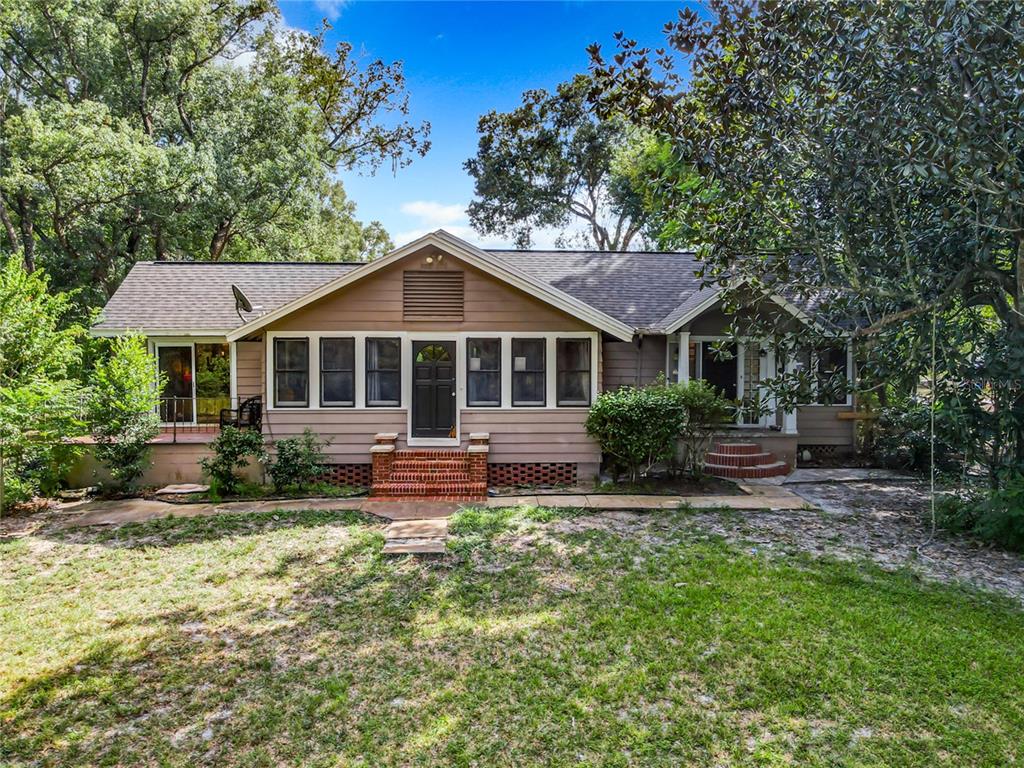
265	641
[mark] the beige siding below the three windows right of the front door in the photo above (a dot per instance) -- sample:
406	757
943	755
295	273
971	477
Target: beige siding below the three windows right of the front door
544	436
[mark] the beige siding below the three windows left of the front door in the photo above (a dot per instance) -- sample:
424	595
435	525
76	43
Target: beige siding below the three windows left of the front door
351	432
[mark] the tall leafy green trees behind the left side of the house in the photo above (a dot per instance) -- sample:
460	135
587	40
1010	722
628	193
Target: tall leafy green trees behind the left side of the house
185	130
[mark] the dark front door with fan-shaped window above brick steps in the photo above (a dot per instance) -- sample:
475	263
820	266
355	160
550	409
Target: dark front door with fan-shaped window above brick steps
434	389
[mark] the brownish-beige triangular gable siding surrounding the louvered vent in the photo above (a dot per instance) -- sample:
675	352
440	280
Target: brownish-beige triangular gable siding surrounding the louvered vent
375	304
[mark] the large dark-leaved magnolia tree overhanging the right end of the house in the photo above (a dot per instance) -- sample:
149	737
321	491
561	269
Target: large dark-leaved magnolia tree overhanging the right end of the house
866	161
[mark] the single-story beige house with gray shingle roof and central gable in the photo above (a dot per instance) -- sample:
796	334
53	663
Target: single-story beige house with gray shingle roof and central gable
442	351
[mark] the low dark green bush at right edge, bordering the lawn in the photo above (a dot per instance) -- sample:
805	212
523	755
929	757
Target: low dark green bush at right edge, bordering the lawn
997	518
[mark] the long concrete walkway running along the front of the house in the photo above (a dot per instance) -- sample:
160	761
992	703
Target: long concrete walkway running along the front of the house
118	513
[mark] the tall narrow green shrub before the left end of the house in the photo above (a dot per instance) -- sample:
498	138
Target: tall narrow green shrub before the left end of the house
122	408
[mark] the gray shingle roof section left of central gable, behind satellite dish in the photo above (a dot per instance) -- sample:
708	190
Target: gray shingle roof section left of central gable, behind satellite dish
197	295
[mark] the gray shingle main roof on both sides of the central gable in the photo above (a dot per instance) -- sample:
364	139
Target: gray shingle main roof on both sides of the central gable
639	288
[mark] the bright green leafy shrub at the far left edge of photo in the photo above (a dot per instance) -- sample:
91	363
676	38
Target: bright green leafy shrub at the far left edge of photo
40	403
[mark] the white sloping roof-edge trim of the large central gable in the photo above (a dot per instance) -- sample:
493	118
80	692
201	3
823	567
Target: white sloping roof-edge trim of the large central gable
465	252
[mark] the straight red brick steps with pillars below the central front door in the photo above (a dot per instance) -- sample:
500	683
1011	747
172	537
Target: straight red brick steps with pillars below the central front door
446	475
